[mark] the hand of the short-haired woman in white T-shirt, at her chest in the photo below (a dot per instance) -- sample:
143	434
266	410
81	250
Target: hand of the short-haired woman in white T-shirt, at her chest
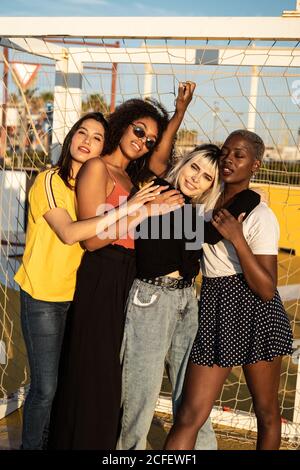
230	228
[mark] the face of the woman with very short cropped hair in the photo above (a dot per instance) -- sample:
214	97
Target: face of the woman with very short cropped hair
238	160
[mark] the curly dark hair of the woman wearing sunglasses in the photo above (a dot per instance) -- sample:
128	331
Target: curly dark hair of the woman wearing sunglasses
122	117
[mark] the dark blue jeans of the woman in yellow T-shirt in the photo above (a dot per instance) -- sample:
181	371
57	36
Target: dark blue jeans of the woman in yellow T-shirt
43	325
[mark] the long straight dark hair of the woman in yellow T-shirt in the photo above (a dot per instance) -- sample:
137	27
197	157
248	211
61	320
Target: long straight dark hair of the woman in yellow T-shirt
65	160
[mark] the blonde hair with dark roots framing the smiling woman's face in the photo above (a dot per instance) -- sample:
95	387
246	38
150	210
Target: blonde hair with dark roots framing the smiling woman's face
211	153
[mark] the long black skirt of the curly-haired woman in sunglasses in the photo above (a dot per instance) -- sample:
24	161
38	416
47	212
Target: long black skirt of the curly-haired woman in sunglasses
86	410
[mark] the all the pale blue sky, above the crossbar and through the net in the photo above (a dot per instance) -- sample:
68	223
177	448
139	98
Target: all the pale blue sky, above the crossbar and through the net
213	91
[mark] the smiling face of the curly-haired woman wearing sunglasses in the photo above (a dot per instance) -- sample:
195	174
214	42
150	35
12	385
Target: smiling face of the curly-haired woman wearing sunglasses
134	147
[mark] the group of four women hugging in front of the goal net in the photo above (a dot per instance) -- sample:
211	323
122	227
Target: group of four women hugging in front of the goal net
102	318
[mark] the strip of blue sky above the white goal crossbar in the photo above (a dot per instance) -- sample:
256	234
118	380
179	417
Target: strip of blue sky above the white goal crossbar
145	8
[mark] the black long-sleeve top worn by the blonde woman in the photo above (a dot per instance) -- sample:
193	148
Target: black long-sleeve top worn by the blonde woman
157	255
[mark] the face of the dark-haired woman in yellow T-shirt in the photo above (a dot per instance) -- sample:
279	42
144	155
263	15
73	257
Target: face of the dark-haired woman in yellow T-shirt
88	141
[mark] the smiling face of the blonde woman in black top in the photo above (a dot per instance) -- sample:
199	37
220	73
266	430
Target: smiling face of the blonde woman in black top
196	177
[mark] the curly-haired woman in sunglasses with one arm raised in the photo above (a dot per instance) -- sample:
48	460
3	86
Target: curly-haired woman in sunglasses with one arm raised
87	409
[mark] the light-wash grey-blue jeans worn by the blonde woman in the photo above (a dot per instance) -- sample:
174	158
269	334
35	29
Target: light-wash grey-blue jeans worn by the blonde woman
160	328
